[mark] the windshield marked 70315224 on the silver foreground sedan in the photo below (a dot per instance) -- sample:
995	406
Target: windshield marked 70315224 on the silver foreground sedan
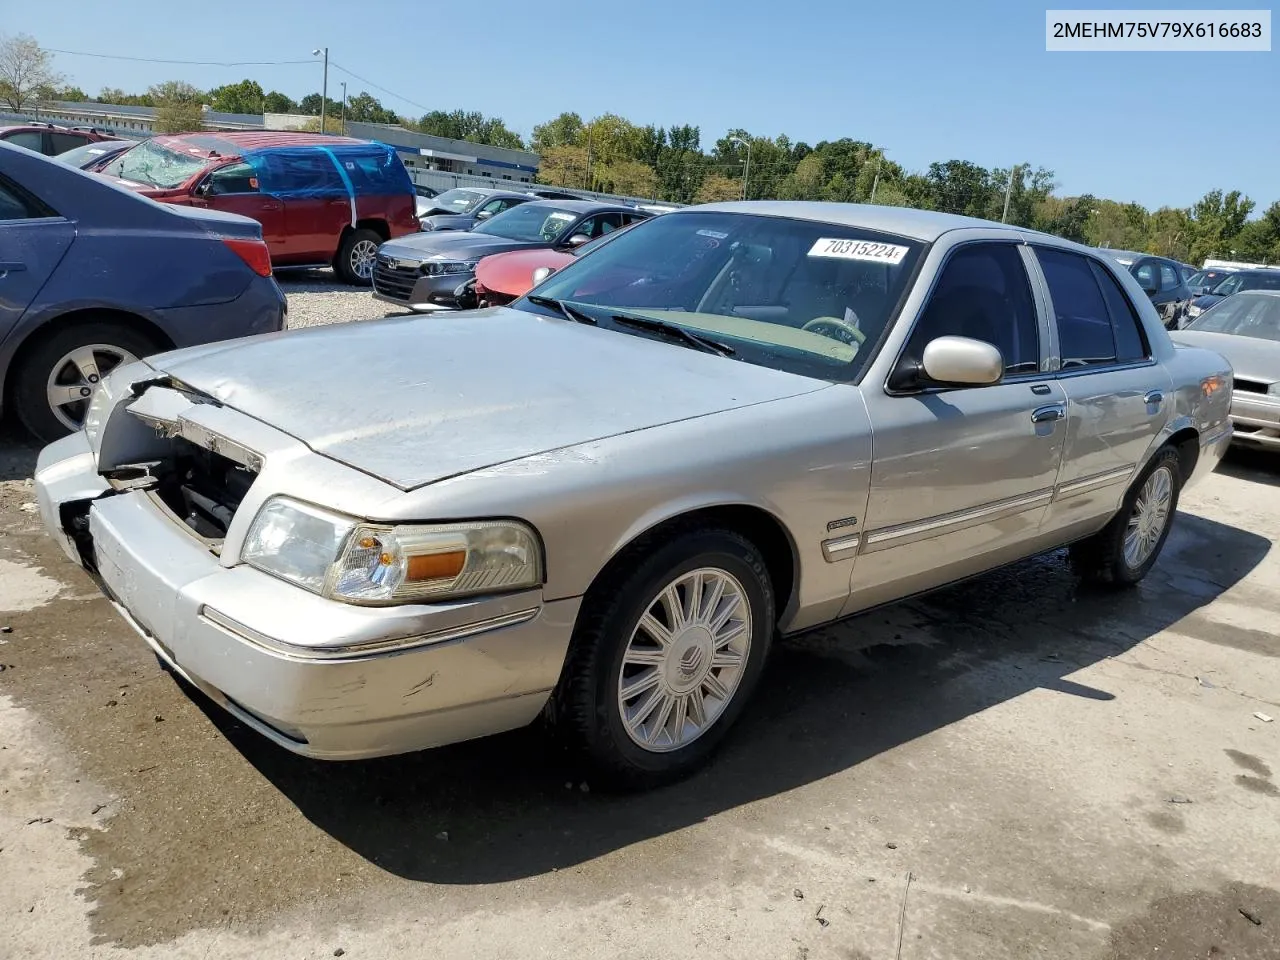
793	295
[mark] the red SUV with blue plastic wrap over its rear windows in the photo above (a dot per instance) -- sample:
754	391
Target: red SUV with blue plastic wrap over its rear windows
322	200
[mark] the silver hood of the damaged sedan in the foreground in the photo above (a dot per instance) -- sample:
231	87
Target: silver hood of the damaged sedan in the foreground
418	400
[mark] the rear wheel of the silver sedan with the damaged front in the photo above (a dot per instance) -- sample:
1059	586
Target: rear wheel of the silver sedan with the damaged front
1126	550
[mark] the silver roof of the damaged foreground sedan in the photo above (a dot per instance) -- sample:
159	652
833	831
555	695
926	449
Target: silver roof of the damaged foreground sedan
908	222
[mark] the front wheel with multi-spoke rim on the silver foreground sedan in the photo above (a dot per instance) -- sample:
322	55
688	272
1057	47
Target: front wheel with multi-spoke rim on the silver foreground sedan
666	655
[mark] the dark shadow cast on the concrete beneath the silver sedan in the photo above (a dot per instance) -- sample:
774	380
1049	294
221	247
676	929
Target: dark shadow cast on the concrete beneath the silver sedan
830	701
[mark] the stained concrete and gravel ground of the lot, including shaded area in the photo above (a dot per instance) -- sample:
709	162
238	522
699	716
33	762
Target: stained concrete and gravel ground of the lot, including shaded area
1011	769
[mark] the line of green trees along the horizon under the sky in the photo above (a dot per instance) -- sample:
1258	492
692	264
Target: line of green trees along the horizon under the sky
615	156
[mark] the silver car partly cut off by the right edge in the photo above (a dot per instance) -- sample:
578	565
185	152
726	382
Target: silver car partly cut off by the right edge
1246	330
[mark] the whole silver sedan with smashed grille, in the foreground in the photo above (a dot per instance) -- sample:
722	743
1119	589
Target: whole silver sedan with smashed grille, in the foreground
604	504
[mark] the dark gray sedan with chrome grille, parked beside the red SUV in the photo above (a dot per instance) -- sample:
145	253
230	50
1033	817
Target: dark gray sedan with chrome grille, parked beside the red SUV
431	271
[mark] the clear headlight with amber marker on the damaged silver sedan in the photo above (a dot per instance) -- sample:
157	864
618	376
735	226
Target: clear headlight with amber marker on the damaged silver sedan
376	564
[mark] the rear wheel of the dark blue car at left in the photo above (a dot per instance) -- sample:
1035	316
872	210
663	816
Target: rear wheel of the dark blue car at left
51	367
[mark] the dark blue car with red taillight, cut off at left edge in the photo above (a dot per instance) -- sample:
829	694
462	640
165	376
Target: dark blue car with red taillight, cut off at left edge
93	276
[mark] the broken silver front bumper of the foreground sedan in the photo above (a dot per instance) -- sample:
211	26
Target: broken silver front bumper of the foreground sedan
317	676
